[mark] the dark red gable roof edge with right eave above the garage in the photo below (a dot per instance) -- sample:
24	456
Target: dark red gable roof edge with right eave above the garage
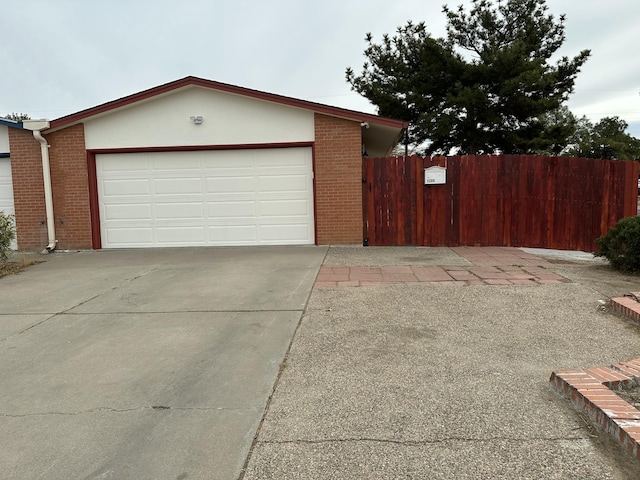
381	133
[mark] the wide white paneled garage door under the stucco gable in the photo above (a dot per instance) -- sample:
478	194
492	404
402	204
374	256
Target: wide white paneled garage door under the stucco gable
238	197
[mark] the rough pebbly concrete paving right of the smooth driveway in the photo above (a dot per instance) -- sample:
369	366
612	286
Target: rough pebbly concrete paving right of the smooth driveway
403	378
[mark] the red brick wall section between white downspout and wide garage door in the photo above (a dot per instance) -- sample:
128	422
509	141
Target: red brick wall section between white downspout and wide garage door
70	187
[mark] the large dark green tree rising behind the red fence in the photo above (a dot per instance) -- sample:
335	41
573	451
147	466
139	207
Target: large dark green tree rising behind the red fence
481	89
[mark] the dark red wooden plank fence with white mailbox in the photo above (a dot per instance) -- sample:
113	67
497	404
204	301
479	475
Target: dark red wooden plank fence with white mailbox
497	200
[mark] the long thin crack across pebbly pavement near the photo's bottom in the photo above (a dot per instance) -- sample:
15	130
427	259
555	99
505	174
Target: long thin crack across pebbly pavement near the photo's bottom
419	443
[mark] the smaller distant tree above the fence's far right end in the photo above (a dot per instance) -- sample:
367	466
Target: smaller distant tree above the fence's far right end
606	139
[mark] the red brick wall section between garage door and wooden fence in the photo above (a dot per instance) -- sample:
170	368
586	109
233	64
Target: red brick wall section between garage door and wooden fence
338	176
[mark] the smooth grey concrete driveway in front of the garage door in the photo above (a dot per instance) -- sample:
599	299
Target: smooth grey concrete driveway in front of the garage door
144	364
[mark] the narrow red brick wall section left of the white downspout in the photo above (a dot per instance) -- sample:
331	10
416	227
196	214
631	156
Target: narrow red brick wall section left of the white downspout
28	190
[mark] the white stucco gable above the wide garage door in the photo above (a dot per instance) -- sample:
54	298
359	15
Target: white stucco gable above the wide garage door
227	119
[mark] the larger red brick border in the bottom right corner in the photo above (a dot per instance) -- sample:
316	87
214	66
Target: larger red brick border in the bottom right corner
590	392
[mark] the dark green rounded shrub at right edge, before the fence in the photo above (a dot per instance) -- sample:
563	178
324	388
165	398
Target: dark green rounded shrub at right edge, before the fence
621	245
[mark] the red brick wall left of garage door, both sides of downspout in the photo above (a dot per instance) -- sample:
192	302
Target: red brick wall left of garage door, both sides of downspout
69	183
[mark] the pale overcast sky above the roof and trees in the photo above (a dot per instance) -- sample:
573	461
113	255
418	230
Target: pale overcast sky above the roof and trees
62	56
